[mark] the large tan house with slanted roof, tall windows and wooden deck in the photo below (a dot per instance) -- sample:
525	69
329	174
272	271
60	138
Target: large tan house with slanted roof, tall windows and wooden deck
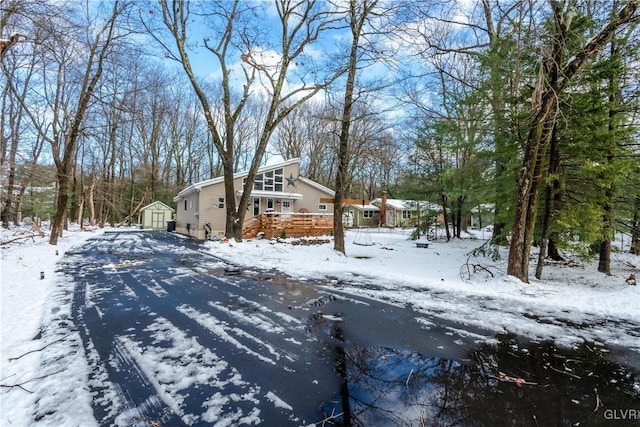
291	202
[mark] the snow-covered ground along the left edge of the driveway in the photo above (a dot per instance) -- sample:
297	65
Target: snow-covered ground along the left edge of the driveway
28	303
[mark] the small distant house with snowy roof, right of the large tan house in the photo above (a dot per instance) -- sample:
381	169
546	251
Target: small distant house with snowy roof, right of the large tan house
405	213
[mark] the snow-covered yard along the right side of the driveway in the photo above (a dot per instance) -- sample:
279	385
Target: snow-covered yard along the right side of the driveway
571	304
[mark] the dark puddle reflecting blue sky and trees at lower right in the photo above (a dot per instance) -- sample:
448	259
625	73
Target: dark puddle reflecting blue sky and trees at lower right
508	383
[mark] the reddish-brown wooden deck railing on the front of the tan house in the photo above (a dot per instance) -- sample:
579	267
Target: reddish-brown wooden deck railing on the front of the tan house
288	225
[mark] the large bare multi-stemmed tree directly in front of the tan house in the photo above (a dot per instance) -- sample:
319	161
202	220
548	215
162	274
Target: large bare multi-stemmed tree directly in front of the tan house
238	41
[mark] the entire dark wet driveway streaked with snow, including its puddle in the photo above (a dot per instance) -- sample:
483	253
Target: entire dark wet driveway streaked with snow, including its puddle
148	328
